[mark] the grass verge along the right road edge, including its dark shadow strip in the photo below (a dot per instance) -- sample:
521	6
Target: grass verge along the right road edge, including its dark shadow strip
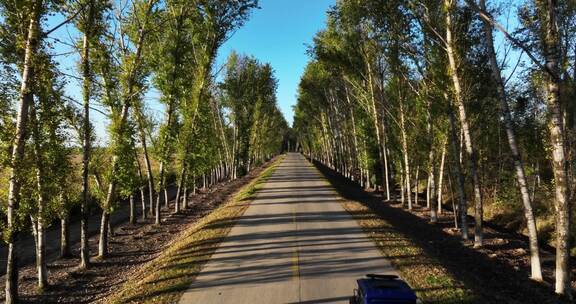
436	264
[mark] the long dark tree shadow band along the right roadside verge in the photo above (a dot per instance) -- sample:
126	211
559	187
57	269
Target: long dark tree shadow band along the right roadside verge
488	280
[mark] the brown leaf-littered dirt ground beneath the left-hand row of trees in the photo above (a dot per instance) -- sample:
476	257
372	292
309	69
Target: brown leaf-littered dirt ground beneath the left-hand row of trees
130	248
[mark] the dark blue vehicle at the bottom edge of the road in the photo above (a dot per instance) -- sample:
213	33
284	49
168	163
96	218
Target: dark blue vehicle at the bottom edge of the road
383	289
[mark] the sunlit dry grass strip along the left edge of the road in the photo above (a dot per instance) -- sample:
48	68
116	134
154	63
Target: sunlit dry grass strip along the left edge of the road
164	279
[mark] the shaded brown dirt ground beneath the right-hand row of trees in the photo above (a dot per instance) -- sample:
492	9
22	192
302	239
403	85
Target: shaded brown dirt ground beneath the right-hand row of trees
497	273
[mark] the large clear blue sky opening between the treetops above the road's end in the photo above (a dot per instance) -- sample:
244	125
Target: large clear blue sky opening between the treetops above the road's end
278	34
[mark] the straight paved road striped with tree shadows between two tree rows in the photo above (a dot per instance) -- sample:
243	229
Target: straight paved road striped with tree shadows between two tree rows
294	244
